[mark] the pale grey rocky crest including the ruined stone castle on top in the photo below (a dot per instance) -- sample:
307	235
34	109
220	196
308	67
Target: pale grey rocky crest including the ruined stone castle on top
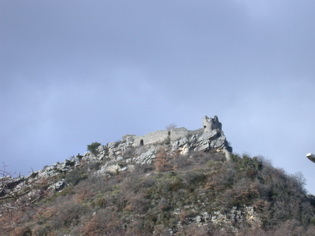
123	155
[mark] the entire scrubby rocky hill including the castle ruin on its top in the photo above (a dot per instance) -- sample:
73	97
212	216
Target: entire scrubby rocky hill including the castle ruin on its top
168	182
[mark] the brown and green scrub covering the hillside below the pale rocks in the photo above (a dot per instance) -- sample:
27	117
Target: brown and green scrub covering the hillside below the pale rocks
167	197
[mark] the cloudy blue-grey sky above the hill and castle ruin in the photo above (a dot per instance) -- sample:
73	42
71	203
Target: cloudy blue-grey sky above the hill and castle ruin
73	72
